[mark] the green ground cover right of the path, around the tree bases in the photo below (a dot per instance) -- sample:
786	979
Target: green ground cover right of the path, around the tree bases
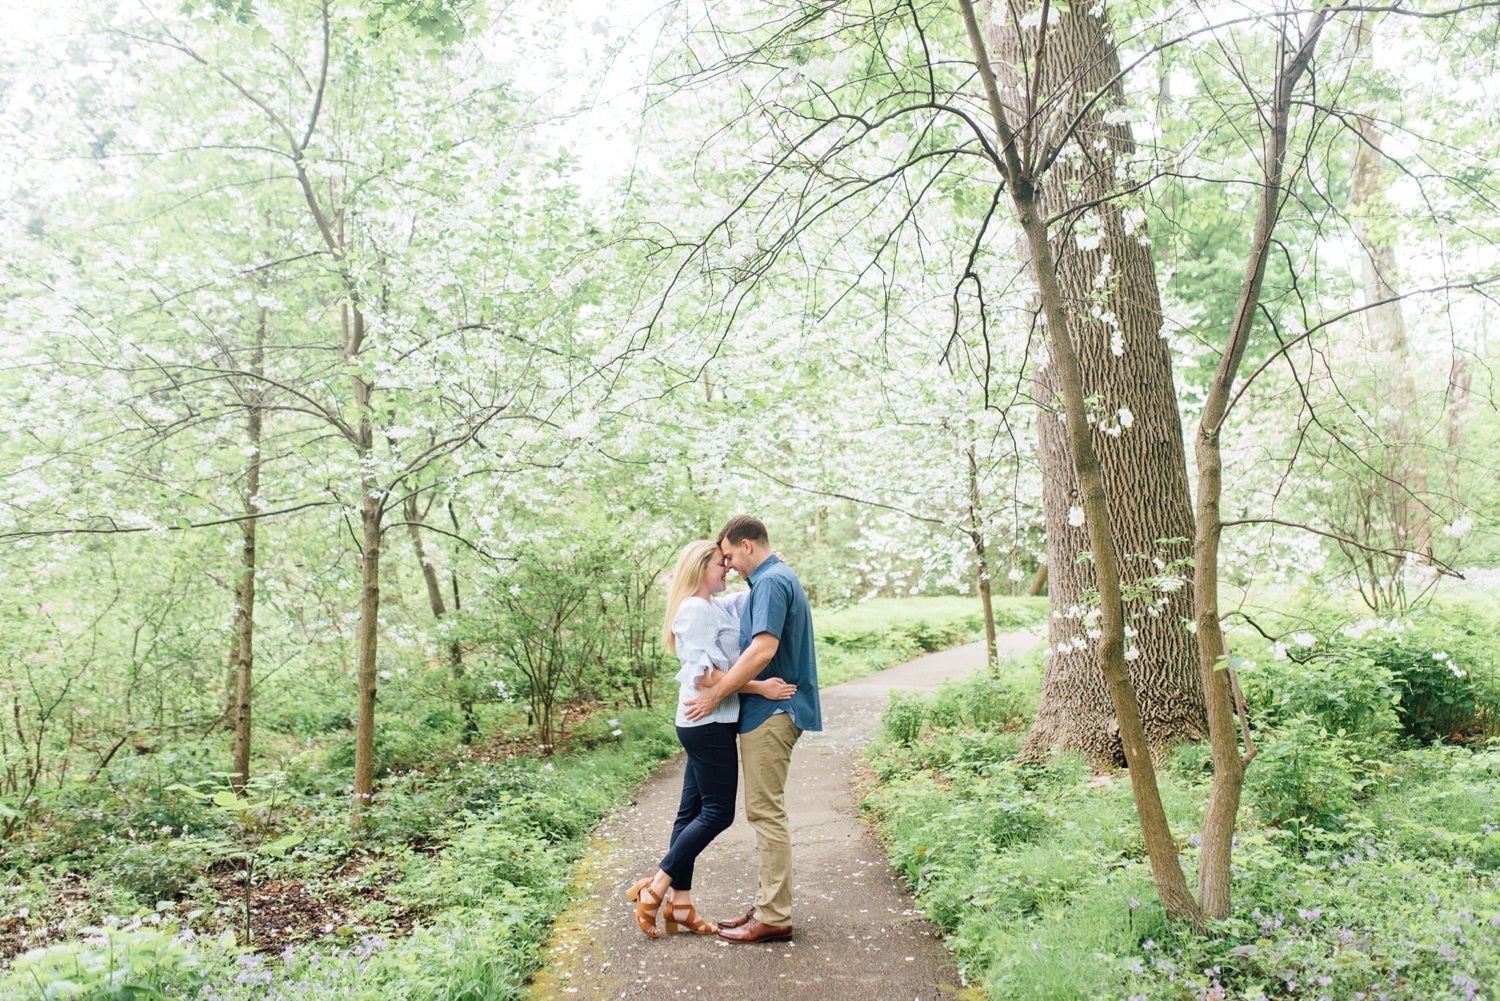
1367	858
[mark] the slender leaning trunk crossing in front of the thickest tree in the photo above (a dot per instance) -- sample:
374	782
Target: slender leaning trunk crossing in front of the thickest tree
1166	868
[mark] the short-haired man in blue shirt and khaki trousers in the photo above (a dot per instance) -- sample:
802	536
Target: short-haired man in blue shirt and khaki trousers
776	637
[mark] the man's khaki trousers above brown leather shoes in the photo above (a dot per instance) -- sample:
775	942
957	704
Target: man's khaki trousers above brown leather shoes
766	753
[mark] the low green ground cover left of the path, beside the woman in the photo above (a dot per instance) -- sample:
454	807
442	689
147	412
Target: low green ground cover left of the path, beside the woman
448	891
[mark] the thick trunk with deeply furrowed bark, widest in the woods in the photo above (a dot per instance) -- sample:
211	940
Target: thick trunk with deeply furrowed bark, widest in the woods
1108	283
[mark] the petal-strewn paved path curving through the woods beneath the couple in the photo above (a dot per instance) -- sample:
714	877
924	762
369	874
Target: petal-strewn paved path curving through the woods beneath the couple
857	936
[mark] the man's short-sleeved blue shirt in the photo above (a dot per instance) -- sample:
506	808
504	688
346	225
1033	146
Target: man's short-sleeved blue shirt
779	607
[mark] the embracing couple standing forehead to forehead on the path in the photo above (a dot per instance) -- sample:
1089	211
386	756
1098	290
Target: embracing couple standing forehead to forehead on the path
748	675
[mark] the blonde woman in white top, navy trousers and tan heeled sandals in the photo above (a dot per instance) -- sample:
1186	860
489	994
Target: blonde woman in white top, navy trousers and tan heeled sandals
704	633
